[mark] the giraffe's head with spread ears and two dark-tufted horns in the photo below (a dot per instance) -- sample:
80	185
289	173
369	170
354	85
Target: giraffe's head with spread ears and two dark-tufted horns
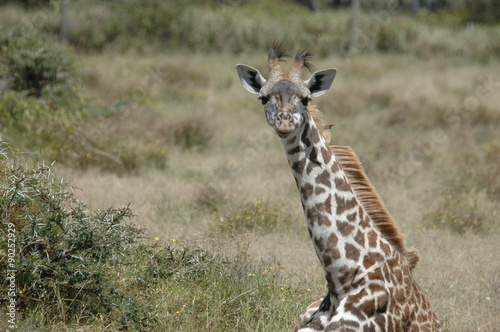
285	95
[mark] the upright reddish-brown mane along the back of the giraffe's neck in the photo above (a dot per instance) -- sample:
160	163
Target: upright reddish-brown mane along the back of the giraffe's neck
372	203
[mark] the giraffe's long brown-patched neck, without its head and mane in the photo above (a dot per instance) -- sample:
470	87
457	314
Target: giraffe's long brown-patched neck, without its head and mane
341	232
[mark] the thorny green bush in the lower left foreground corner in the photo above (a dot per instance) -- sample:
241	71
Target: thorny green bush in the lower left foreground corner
66	255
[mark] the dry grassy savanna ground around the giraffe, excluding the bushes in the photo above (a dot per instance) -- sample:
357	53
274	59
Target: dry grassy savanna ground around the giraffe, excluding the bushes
209	180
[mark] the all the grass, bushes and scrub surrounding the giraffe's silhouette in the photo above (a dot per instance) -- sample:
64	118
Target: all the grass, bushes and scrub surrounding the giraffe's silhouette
182	212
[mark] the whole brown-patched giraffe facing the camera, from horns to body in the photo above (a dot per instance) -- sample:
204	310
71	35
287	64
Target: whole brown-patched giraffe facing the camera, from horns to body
368	269
